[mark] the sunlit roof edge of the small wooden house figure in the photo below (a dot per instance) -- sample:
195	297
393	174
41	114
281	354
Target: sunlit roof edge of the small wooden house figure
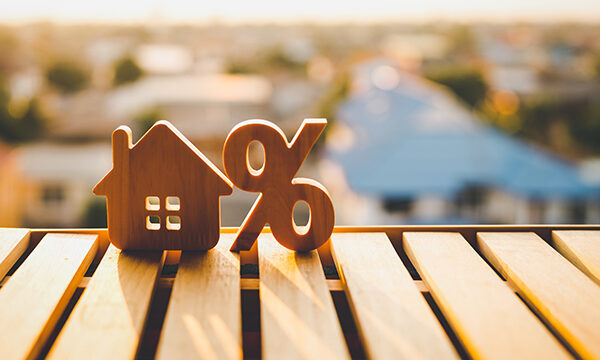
163	126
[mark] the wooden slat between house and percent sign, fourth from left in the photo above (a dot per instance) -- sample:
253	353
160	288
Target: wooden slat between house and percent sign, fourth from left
203	320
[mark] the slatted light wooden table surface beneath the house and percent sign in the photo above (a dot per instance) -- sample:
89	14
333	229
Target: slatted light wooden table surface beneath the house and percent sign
413	292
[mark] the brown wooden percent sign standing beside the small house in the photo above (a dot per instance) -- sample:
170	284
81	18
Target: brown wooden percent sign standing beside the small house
280	191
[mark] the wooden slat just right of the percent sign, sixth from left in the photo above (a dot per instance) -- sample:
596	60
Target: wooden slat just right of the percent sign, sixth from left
393	318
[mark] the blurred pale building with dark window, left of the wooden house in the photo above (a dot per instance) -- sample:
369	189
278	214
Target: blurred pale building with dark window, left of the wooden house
57	182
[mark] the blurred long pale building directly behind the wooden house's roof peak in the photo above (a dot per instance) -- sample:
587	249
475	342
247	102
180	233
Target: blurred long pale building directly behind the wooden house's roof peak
200	106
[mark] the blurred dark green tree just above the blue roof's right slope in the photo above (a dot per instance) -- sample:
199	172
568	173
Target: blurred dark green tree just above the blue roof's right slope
467	83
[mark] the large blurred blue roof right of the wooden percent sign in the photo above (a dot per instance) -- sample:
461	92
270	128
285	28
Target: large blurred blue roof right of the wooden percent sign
417	139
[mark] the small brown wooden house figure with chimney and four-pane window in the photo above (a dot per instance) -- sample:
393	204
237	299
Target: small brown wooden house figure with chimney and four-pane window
163	193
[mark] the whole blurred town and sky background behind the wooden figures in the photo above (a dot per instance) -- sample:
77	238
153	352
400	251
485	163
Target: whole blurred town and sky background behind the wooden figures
480	112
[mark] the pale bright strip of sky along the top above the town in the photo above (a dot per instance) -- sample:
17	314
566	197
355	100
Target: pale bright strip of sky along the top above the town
16	11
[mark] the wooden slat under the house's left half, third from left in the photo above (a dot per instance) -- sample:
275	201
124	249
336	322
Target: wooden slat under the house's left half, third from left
109	317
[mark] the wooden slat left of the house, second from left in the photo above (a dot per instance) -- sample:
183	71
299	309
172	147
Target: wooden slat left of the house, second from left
33	299
